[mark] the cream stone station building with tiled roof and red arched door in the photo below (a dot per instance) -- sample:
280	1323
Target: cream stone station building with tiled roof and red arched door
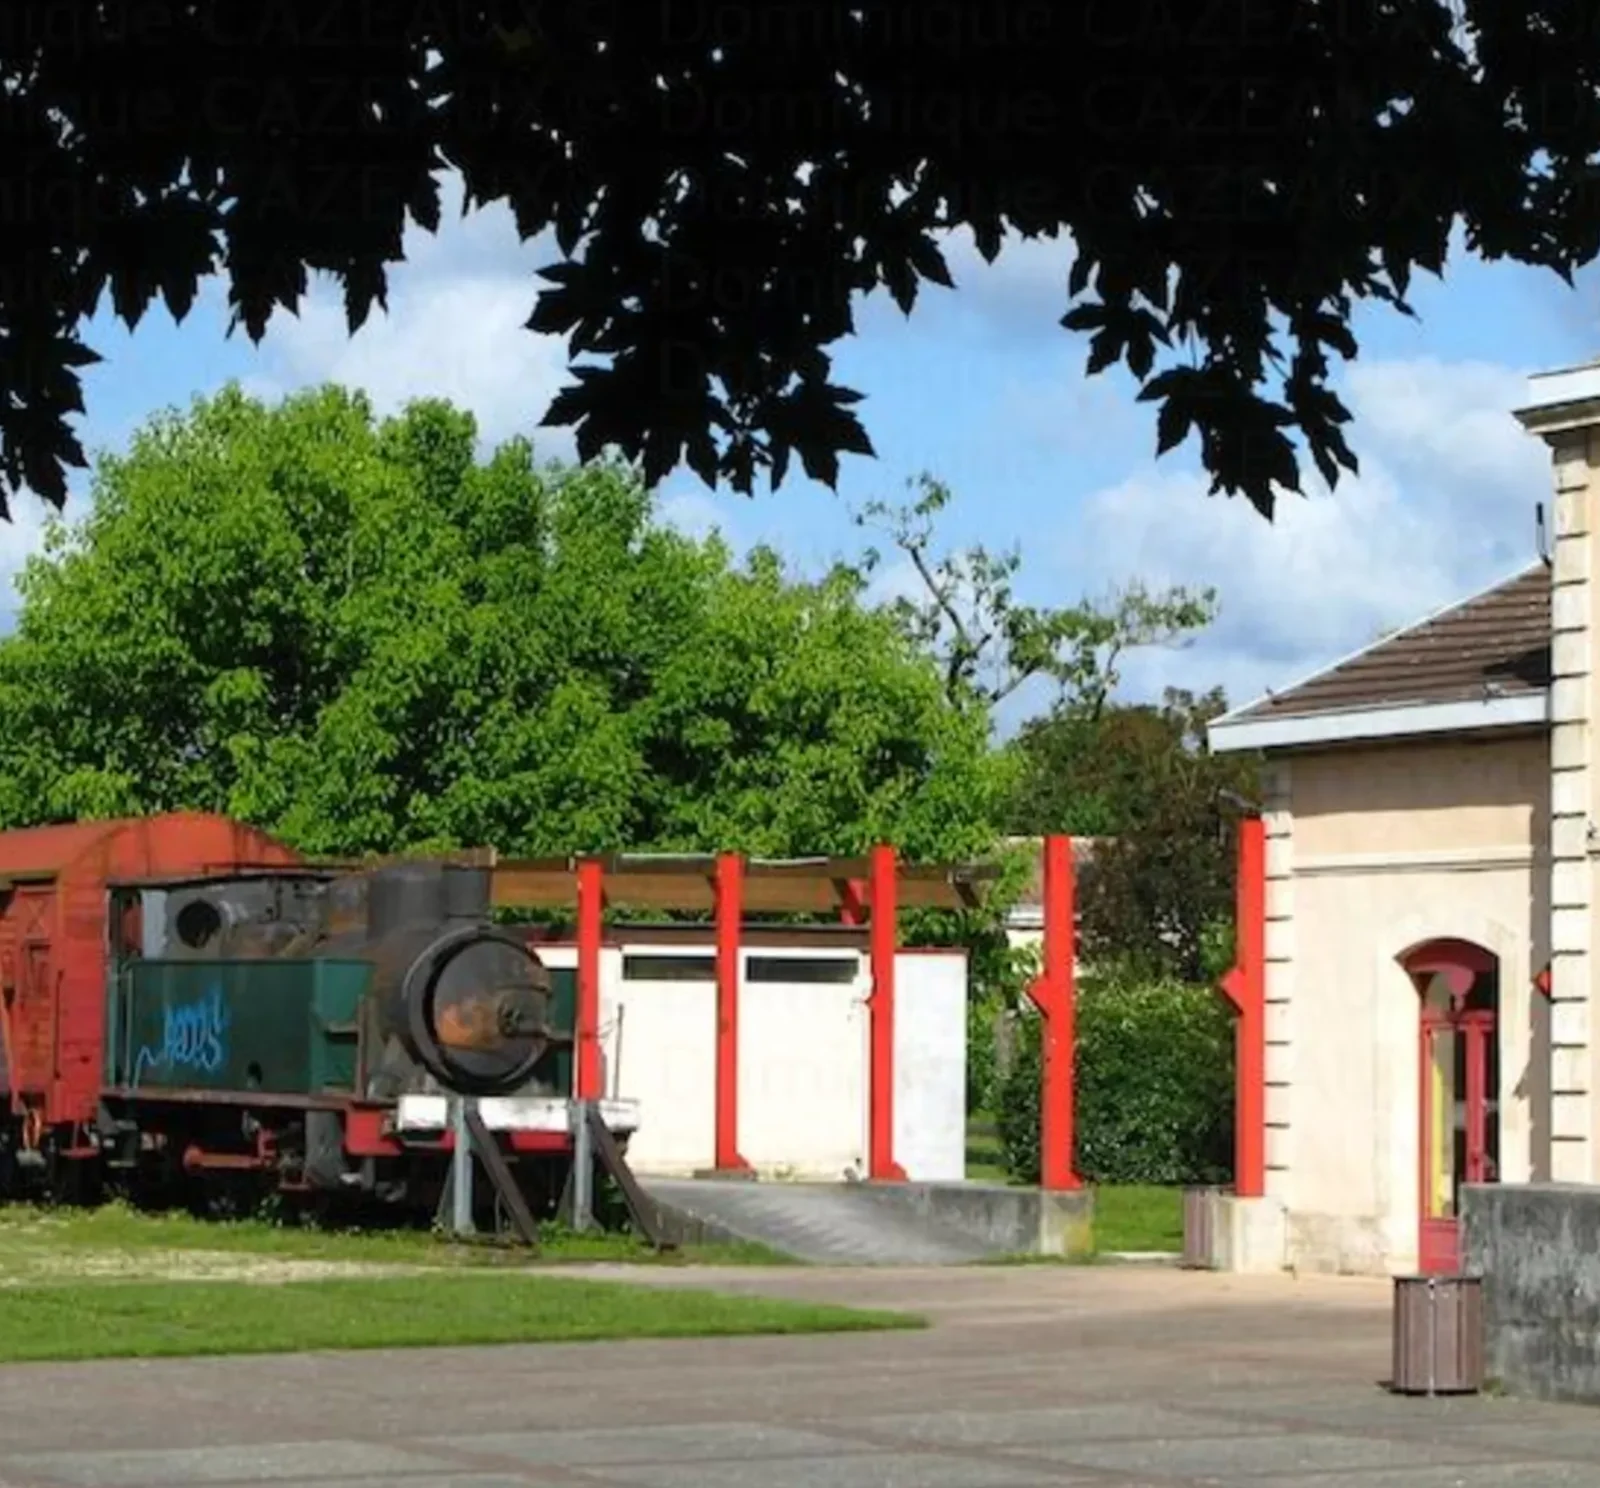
1431	825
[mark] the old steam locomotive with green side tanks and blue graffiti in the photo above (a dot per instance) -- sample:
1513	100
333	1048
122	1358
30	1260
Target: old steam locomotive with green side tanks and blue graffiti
262	1030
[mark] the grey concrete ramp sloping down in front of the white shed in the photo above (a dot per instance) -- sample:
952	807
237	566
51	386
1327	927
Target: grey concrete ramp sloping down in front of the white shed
850	1225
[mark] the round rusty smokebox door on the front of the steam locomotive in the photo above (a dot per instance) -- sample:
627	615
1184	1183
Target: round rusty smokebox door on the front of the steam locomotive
478	1009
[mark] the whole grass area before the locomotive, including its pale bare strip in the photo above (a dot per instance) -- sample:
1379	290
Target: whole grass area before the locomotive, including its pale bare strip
116	1284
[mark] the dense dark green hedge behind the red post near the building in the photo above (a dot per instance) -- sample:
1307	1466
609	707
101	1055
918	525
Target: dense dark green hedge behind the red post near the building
1154	1087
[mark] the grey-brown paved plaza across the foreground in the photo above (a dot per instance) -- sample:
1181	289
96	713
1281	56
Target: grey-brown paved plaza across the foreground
1042	1375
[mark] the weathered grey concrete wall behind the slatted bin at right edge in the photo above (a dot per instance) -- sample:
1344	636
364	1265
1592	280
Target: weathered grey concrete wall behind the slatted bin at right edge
1538	1250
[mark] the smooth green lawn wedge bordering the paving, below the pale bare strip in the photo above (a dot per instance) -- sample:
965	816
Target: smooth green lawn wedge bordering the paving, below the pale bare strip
154	1319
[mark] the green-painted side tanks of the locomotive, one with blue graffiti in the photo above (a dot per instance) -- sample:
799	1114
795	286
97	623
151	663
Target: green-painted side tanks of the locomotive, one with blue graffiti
287	1028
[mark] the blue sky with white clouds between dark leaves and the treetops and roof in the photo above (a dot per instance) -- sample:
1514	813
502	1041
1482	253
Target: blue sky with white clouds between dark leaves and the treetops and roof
985	390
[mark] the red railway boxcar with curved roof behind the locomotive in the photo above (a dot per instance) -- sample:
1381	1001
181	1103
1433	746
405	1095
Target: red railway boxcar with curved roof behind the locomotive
54	951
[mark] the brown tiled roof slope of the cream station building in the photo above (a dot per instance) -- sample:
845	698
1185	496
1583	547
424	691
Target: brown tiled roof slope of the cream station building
1495	644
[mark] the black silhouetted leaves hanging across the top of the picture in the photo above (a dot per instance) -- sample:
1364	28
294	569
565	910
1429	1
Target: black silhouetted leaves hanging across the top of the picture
724	180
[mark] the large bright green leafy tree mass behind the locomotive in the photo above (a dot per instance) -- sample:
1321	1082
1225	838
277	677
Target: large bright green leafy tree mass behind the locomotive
361	636
